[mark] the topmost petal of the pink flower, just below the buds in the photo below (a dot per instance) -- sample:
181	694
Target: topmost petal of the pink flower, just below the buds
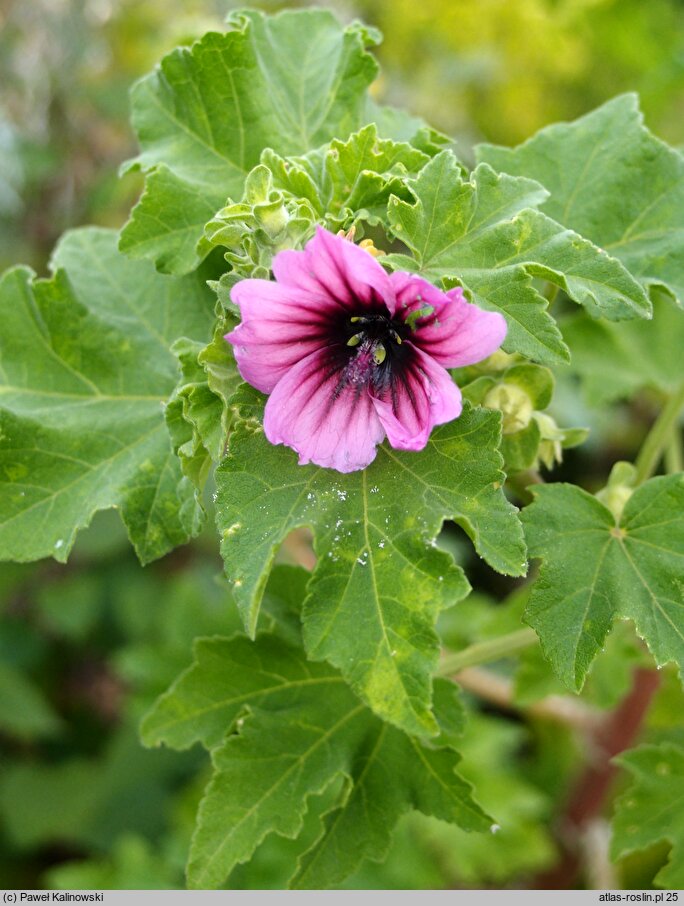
334	268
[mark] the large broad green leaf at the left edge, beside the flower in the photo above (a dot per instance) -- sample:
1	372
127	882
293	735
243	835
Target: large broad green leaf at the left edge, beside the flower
86	370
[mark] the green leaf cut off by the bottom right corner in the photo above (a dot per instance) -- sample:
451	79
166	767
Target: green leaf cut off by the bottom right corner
652	808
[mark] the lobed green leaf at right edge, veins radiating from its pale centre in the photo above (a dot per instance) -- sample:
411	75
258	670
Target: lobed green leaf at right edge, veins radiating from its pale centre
597	568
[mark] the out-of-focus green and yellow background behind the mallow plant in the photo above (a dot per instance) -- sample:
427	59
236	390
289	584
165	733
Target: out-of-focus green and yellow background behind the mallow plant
85	648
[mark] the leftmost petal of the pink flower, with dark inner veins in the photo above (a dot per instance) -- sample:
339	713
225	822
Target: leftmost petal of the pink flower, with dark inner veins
278	329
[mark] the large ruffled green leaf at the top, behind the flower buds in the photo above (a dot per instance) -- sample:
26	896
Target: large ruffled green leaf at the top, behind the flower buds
204	117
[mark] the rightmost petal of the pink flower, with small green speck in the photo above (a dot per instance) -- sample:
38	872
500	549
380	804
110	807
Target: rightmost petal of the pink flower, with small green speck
457	333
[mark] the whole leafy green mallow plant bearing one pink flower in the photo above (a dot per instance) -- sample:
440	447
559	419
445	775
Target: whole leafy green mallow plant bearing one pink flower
308	270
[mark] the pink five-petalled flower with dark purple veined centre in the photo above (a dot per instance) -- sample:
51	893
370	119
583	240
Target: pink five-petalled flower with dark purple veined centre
350	354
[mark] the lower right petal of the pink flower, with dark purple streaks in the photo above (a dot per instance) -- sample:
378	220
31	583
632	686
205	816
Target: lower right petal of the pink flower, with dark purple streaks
420	396
